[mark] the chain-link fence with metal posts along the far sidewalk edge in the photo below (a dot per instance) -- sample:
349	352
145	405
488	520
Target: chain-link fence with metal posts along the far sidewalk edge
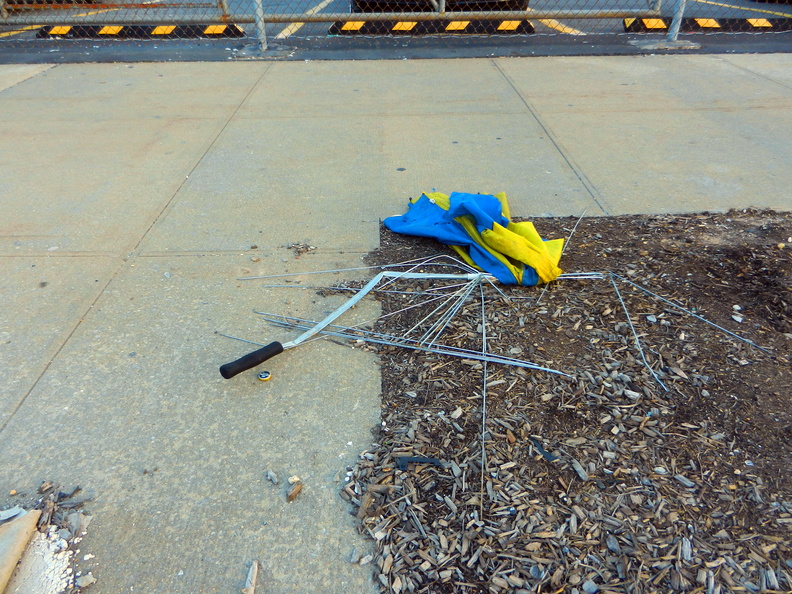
262	21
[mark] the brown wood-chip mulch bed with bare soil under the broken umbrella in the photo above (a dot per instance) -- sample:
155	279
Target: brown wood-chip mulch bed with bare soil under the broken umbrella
620	478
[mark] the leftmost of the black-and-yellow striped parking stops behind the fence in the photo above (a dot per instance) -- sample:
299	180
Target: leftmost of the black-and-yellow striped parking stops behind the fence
140	31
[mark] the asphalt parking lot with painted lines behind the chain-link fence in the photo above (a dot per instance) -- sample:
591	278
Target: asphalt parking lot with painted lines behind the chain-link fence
290	37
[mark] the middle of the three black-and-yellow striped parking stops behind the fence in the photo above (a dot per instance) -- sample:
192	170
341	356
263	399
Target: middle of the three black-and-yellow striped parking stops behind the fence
443	26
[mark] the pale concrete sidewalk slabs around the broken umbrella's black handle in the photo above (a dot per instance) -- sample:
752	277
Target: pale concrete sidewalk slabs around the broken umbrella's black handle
132	197
